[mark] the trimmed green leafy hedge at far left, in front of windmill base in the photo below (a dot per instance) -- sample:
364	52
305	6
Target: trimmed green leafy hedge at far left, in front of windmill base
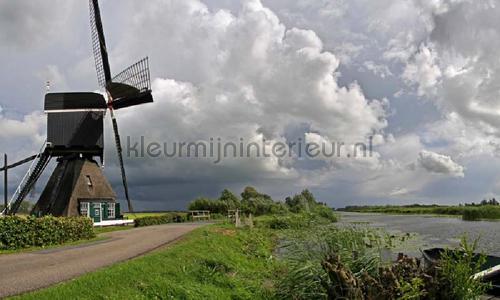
17	232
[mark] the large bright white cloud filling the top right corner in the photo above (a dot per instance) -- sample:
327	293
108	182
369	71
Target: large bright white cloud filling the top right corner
453	66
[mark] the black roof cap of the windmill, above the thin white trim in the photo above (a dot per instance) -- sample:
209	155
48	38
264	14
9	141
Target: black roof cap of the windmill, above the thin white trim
74	101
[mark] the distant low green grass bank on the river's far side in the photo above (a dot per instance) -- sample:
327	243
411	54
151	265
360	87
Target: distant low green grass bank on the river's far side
469	213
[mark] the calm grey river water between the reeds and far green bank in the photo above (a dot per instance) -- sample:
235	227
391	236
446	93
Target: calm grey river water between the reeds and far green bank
432	231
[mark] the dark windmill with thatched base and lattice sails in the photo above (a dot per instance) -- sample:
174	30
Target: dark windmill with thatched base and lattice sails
77	185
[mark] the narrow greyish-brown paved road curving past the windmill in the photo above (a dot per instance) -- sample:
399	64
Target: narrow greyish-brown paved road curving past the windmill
25	272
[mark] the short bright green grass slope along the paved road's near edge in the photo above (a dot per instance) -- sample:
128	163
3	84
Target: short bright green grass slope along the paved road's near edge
214	262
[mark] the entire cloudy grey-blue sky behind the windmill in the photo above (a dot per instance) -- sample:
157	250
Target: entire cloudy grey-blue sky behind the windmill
420	79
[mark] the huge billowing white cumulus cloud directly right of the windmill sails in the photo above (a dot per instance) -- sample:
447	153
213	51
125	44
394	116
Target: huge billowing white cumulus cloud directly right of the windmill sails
245	75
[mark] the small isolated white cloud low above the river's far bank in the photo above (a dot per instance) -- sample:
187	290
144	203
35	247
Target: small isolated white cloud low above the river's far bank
438	163
